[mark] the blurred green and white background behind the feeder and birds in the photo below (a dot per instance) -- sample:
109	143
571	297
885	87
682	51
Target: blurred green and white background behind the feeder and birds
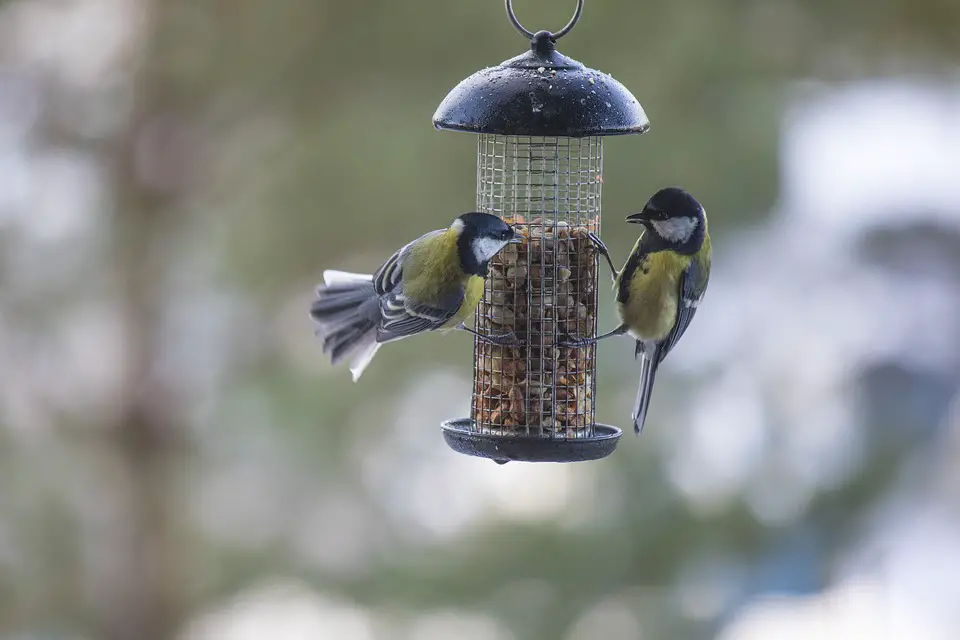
178	460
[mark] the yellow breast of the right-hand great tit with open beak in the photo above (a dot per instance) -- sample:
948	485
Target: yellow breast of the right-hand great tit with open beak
650	308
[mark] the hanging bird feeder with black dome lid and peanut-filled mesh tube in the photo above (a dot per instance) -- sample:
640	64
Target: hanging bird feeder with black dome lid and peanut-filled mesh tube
540	119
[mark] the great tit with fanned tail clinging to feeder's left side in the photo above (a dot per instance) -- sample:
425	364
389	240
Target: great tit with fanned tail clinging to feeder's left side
434	282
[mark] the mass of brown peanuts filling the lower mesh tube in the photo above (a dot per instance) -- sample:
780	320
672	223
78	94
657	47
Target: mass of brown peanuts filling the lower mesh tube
543	290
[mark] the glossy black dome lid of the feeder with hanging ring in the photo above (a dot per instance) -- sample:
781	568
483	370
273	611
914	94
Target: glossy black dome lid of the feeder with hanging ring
541	93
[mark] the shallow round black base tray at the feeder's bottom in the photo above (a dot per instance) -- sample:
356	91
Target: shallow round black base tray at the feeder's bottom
462	438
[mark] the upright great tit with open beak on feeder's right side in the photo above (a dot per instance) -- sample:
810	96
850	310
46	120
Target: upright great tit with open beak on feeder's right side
662	283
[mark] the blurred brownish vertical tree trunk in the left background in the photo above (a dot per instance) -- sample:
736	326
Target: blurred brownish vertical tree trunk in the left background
151	176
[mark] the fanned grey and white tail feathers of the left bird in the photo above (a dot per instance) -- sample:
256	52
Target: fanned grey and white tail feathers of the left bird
346	311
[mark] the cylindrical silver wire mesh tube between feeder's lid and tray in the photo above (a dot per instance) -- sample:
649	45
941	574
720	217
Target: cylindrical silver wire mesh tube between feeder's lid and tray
544	290
